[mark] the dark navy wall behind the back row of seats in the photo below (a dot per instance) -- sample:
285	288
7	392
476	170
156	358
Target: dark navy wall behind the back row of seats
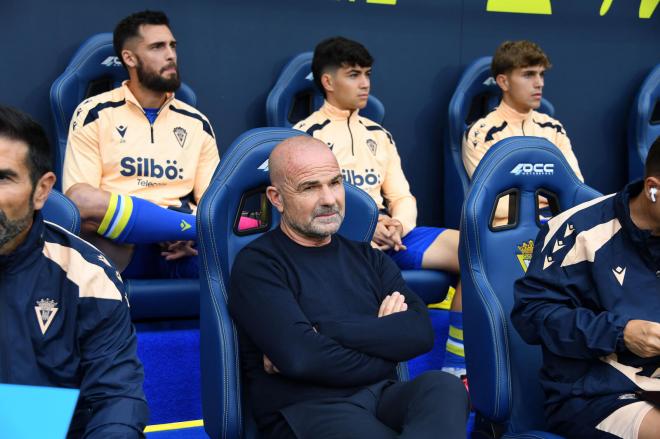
231	51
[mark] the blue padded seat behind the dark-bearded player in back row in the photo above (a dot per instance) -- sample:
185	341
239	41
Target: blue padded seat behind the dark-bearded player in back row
94	69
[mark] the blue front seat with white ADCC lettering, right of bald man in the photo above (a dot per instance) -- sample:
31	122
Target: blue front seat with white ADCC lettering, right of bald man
502	368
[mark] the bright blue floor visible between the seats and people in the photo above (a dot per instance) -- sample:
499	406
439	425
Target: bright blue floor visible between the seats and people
170	354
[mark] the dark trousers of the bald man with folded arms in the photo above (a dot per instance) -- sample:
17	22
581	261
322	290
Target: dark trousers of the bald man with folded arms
433	405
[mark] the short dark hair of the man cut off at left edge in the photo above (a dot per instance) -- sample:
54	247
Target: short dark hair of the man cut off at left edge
18	126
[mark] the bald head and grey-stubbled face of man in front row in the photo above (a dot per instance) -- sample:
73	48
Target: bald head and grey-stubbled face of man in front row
310	196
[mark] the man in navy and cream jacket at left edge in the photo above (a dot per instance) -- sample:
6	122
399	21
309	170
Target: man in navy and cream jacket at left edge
65	317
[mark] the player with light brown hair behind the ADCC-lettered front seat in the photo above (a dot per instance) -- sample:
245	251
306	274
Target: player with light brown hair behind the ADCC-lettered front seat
519	70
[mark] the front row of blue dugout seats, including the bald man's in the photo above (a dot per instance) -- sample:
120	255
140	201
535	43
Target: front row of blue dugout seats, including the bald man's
504	386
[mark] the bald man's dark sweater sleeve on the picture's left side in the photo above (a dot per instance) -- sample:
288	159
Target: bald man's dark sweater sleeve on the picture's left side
263	305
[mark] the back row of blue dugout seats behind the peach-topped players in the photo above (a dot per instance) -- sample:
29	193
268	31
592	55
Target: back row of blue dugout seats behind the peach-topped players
94	68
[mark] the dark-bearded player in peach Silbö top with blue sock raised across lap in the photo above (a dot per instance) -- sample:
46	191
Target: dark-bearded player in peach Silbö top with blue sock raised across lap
138	160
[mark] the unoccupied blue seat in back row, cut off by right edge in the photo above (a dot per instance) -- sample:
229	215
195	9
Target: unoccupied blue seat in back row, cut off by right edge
644	125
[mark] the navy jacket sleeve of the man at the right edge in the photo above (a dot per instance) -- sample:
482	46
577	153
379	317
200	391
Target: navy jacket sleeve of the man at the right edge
552	308
